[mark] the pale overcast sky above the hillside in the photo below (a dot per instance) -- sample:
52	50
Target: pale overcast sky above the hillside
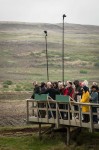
50	11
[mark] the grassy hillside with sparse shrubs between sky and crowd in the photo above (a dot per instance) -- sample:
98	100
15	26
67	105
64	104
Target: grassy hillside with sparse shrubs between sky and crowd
22	52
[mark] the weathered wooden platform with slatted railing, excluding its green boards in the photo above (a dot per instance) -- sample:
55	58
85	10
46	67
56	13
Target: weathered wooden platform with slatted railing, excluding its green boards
37	111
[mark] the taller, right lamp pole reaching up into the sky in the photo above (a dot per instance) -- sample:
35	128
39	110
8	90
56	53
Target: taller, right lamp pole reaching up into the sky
63	50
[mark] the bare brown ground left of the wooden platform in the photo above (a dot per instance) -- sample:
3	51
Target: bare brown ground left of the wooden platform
12	113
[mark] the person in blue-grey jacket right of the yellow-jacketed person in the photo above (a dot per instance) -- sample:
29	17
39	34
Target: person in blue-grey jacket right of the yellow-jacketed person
94	99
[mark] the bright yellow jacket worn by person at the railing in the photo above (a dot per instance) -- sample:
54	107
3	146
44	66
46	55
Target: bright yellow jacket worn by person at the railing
85	99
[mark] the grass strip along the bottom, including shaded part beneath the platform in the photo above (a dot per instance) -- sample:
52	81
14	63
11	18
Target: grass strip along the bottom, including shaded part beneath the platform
56	141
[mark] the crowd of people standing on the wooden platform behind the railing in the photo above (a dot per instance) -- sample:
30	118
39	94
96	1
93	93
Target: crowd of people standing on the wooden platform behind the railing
78	91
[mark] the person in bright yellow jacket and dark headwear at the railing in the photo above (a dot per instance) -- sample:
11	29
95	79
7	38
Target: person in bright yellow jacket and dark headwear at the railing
85	99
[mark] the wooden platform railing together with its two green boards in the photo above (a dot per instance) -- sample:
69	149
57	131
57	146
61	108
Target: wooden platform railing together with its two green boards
61	111
